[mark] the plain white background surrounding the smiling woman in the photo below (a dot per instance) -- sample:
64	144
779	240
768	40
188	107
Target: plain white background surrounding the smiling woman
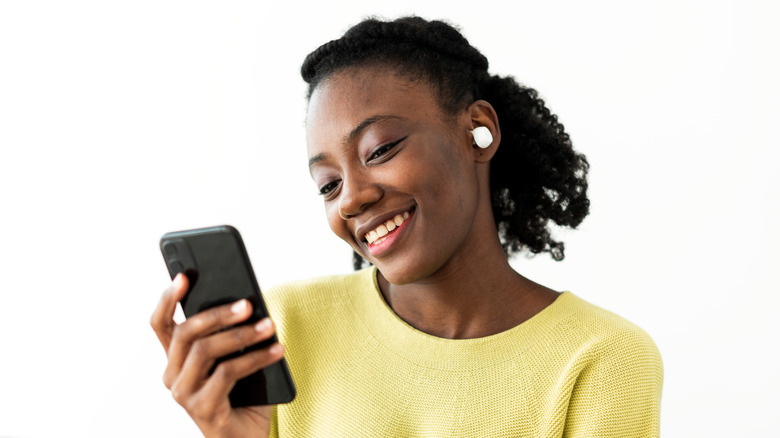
120	121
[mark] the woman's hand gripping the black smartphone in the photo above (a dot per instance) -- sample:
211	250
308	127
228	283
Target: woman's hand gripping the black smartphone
193	347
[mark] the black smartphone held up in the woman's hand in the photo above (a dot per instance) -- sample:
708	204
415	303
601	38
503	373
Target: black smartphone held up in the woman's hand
218	268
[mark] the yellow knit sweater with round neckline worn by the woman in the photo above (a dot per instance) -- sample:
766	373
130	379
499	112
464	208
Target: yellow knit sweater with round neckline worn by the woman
573	370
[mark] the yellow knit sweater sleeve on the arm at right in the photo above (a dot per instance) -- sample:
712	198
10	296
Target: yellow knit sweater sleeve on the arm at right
618	391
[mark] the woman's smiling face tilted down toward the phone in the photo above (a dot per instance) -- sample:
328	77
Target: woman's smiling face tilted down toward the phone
397	174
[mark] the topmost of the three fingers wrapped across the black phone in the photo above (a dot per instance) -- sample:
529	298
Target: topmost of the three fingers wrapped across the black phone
197	327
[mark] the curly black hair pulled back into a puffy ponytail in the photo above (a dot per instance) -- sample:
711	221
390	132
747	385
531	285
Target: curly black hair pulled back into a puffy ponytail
535	176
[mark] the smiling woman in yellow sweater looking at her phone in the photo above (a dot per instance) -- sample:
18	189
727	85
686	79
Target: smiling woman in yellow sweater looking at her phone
434	172
